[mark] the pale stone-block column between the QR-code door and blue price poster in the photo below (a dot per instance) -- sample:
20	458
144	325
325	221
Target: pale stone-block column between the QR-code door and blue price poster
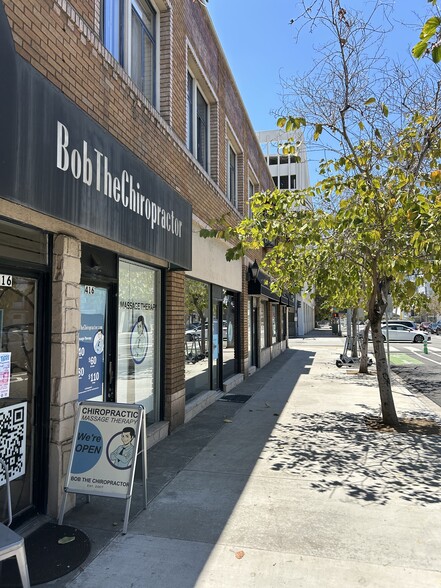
64	363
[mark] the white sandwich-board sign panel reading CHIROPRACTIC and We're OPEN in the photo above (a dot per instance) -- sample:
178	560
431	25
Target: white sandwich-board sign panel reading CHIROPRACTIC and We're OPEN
104	450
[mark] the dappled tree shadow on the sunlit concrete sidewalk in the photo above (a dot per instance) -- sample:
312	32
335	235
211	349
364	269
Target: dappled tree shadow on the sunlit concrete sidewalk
341	452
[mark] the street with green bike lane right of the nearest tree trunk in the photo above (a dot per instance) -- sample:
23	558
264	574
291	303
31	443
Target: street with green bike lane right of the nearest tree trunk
418	369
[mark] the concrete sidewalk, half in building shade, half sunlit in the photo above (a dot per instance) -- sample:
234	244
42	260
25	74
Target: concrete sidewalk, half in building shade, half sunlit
291	488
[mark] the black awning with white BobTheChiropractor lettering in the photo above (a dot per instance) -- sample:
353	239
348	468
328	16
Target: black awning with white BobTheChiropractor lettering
59	161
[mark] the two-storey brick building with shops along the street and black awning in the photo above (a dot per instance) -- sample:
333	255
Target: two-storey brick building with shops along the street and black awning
109	167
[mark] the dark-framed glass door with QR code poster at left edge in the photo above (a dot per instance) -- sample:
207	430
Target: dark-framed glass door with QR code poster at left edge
23	397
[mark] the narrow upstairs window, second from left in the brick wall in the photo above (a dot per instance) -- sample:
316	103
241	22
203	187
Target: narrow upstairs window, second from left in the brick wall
197	122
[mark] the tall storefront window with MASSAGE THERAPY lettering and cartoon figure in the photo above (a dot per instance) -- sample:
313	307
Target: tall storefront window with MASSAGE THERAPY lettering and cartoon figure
138	337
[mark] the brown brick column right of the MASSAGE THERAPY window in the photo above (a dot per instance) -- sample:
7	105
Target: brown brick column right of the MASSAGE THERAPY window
174	366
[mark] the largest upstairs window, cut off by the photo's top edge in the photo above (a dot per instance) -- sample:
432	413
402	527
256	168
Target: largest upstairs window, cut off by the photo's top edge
129	33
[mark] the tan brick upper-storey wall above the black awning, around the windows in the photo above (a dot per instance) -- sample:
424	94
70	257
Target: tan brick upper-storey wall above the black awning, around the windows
61	40
